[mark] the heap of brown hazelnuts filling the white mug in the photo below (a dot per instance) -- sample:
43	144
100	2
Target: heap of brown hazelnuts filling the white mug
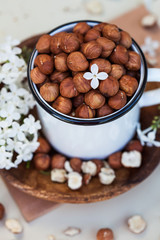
63	59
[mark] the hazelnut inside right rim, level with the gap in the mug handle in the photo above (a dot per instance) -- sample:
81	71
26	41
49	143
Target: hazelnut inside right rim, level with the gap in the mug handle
128	84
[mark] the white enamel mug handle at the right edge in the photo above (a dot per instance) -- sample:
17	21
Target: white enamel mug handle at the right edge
152	97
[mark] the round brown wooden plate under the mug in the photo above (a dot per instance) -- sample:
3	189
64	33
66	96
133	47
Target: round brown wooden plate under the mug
39	185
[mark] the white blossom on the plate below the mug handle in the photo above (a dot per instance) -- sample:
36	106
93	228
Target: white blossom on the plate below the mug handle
147	136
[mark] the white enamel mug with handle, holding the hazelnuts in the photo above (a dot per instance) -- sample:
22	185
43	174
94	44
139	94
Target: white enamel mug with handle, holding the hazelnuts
97	137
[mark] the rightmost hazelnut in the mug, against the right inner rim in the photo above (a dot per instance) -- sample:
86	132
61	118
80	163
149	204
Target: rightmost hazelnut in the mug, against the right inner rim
134	62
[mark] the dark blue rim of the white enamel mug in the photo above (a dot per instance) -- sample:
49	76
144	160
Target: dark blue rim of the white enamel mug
91	121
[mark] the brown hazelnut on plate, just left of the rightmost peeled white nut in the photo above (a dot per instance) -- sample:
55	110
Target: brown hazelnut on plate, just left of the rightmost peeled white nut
114	160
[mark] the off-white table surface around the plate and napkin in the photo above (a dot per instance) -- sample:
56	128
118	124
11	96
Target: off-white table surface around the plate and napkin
22	19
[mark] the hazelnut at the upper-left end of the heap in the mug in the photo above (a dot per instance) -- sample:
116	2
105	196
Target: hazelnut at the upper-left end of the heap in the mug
43	44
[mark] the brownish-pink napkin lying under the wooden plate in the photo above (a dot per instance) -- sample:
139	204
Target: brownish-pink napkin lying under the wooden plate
32	207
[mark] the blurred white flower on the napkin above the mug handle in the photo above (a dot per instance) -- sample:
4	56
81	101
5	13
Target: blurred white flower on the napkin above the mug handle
150	46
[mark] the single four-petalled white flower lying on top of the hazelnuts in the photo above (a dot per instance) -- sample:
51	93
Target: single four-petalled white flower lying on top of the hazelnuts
95	76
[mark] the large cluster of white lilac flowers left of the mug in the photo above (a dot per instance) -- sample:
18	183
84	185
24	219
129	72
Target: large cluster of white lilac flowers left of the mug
18	132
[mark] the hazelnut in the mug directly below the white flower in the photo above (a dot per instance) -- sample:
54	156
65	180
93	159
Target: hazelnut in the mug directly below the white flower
94	99
